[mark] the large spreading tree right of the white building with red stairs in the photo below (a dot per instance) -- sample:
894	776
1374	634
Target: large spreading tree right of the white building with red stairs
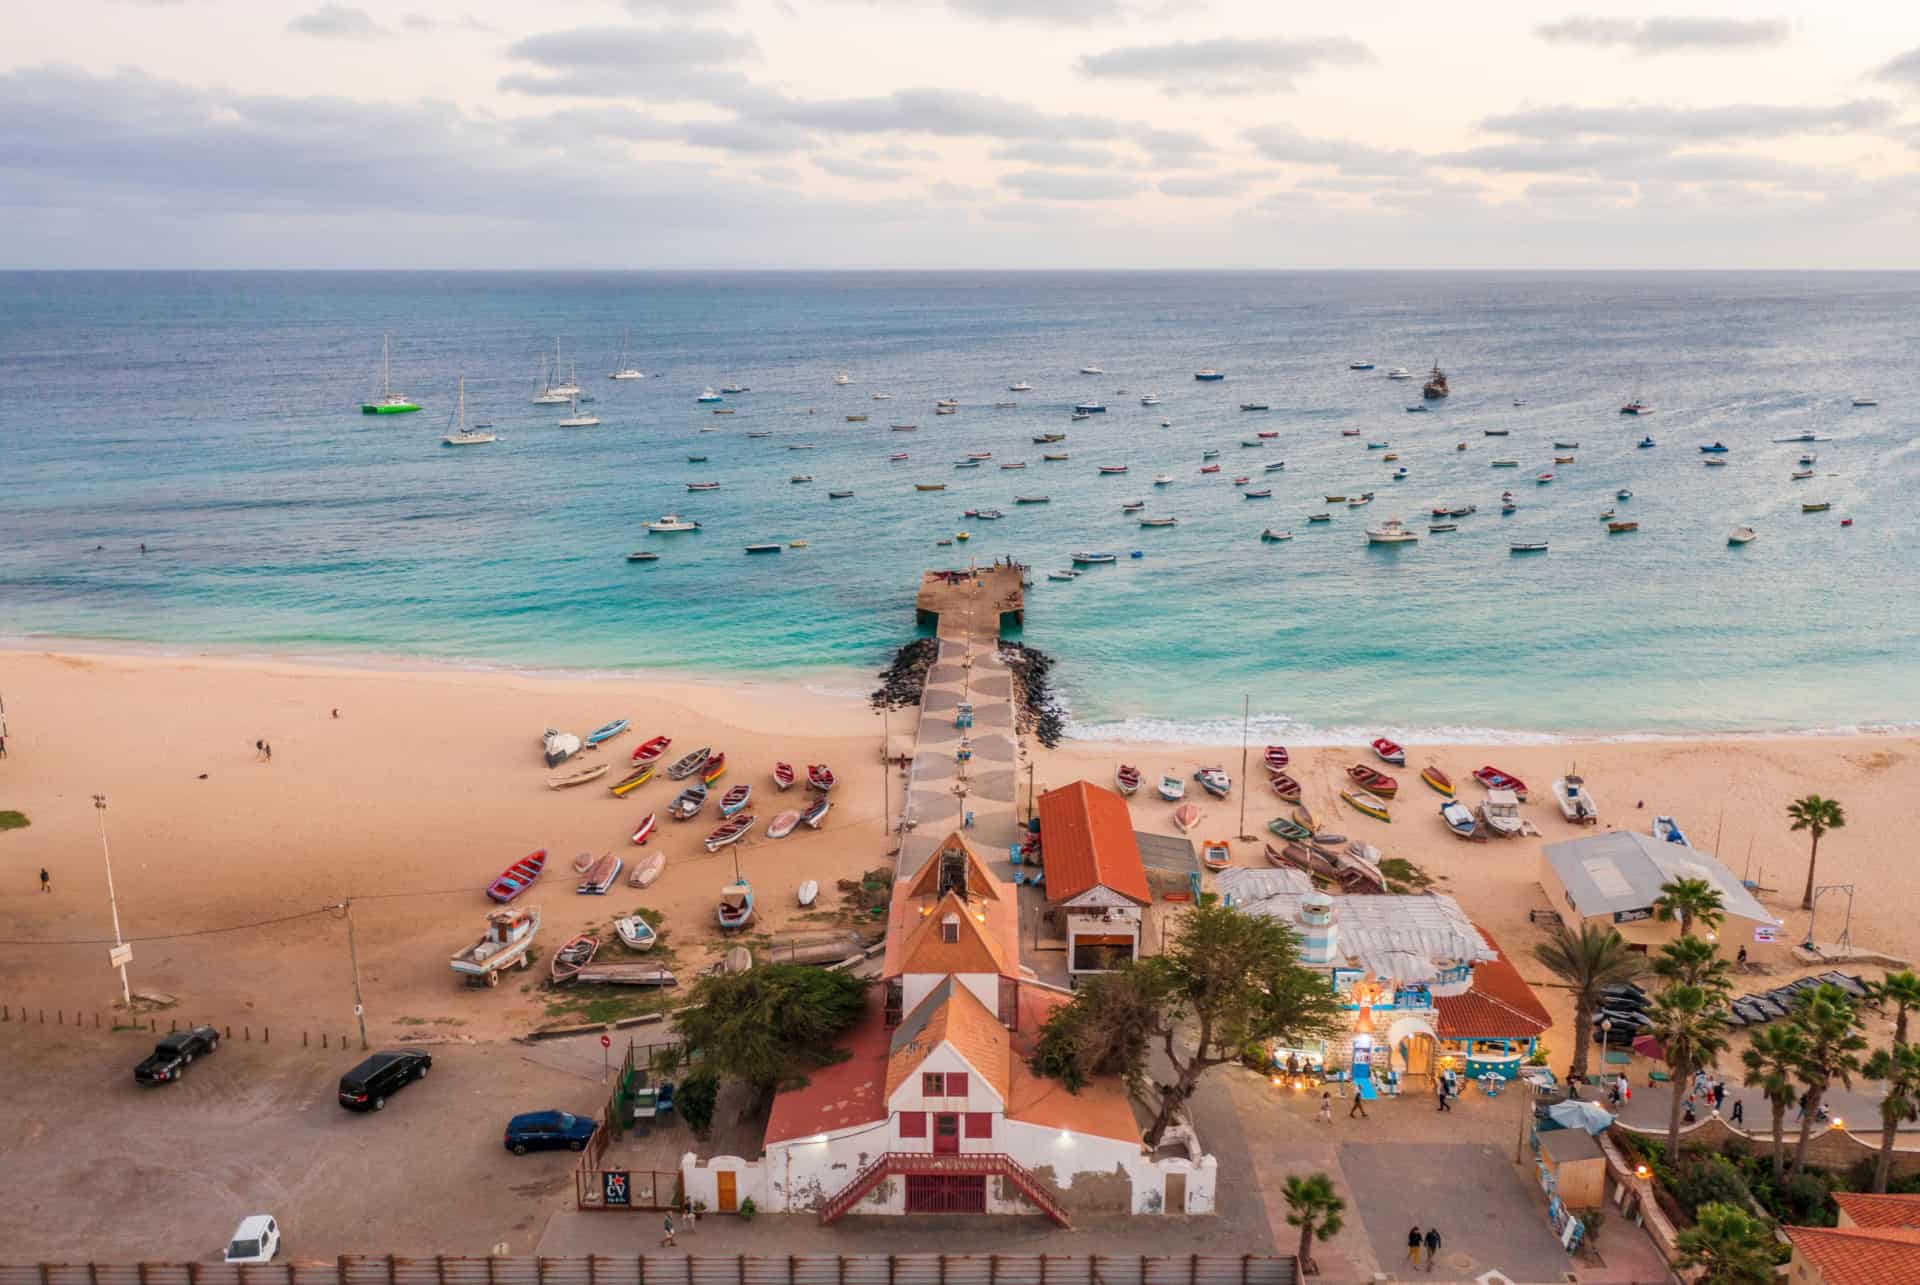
1226	981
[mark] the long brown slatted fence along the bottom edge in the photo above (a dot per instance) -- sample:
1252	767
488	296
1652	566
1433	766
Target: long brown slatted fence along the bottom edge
692	1271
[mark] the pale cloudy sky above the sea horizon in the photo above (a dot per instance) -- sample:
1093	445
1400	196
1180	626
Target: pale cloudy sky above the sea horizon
959	133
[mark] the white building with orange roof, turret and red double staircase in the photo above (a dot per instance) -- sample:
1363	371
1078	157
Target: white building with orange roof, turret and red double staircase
936	1107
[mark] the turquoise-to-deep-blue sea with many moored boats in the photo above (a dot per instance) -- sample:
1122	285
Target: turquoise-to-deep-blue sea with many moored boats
216	418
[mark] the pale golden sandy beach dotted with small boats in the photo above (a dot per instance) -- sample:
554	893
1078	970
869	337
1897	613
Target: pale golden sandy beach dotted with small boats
429	783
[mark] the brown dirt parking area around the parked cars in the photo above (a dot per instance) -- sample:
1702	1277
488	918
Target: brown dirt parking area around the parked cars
103	1169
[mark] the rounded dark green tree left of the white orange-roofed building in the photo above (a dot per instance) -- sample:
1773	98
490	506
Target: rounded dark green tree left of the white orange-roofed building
771	1025
